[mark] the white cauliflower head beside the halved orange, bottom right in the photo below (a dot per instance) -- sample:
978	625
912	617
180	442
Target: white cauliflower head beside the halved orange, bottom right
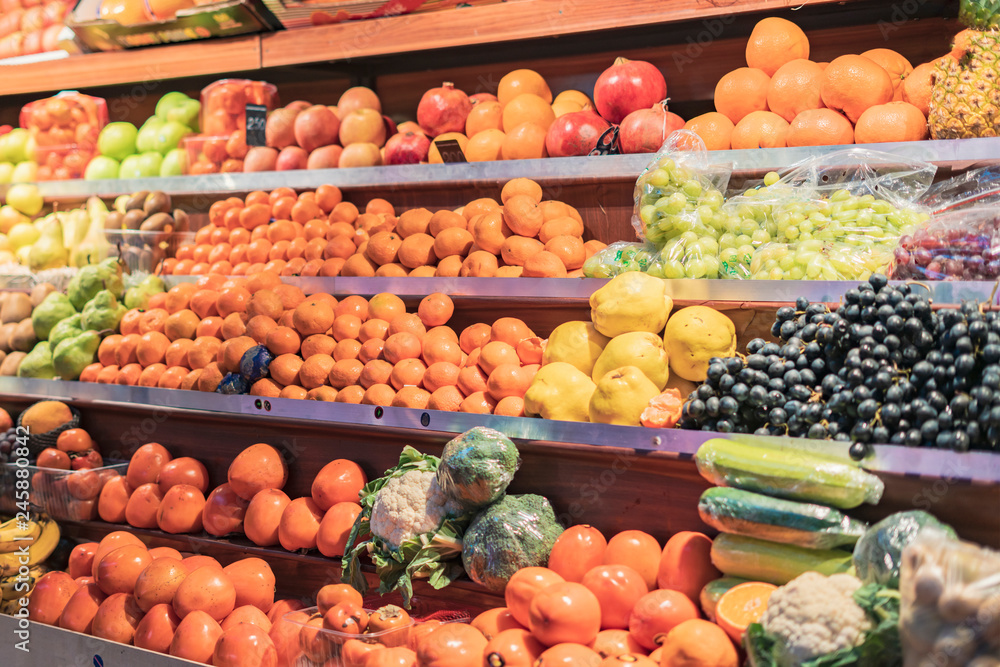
815	615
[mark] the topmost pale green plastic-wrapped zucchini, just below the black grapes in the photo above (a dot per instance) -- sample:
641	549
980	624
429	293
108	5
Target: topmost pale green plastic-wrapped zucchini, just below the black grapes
787	473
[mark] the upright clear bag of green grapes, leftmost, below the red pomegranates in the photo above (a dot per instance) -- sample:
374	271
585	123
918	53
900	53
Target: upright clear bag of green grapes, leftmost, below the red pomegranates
680	191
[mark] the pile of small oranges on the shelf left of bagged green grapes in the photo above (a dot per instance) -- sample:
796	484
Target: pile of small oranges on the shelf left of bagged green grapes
319	234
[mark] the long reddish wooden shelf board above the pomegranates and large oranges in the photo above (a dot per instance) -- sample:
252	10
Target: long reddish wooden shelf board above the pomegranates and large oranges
491	24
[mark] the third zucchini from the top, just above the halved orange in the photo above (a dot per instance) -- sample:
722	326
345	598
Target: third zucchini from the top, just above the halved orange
773	562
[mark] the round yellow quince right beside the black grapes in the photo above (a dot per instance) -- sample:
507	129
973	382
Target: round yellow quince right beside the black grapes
693	336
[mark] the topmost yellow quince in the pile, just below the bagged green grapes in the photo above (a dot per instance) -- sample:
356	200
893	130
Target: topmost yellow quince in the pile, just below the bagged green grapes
632	301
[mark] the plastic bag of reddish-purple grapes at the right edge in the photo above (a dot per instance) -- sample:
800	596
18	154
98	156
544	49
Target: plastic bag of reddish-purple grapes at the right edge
959	245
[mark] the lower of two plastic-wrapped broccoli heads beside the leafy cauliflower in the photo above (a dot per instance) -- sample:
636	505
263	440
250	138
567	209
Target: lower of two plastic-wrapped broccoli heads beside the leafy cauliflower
512	533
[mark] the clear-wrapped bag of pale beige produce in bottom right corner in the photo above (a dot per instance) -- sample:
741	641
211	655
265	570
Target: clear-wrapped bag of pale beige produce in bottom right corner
950	613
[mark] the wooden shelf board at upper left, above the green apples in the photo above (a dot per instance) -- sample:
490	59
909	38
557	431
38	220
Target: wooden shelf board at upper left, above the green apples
141	66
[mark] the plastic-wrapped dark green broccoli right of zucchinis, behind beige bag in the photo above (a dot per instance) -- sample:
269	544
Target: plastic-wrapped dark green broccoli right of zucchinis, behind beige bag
878	553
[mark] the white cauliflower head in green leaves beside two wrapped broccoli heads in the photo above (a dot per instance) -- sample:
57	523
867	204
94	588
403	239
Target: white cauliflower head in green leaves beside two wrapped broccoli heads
409	505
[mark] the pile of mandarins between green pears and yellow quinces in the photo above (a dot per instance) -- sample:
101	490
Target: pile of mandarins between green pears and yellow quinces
352	350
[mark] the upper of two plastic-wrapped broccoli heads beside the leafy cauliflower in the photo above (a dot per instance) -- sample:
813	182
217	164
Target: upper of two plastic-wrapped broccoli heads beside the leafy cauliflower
477	466
